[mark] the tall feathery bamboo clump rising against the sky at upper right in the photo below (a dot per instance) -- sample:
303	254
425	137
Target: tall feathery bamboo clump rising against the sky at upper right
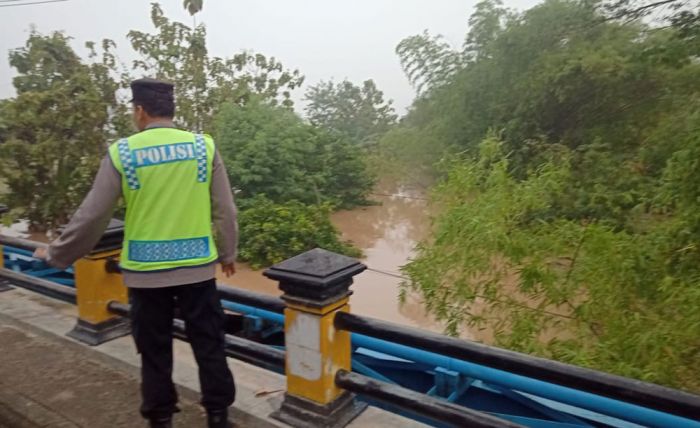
563	75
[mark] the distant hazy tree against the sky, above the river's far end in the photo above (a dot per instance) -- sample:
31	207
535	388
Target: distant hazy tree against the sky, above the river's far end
359	114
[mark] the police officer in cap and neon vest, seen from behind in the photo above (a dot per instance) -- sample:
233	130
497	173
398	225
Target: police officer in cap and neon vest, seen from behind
175	185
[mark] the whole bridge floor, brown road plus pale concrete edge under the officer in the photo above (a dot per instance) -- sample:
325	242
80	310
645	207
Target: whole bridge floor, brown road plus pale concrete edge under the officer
49	380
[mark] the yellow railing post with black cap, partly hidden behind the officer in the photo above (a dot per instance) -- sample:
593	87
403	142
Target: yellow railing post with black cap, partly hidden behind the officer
97	284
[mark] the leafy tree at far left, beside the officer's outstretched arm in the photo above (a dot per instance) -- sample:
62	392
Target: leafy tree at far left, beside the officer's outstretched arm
55	131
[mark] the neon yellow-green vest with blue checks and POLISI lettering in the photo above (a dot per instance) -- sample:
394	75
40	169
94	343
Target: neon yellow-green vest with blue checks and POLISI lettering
166	176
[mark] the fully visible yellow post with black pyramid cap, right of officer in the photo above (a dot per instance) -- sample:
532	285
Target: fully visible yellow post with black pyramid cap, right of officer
316	287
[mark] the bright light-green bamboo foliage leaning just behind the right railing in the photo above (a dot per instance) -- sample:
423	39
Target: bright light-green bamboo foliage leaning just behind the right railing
581	292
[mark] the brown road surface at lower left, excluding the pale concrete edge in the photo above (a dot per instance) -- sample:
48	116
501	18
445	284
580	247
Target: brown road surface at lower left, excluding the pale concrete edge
45	381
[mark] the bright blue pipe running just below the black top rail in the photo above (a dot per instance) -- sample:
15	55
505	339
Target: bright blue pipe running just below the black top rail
596	403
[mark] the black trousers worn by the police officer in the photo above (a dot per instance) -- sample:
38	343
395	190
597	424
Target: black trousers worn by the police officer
152	311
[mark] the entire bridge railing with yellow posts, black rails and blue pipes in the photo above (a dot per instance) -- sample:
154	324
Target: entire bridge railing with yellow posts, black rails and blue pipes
321	333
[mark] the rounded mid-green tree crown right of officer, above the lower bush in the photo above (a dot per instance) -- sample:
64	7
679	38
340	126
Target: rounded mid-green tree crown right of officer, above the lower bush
269	150
